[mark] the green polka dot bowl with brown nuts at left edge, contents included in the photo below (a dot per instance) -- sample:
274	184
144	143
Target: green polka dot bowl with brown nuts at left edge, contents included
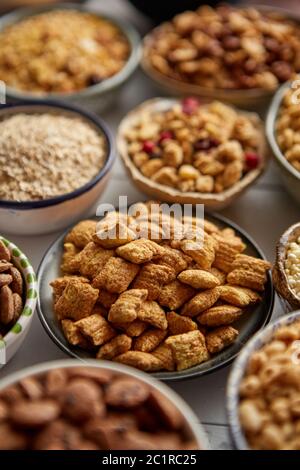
18	296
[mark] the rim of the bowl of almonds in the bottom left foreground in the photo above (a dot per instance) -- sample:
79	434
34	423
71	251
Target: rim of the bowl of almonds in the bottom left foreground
191	419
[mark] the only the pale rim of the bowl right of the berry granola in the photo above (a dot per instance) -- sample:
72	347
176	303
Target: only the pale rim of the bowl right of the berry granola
271	119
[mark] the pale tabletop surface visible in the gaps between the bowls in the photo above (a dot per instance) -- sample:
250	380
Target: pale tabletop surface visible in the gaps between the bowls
265	212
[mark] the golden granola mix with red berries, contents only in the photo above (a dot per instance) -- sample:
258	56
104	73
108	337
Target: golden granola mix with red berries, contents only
194	147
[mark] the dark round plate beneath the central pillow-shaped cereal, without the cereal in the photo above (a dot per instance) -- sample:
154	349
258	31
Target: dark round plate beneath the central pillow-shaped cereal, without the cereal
252	320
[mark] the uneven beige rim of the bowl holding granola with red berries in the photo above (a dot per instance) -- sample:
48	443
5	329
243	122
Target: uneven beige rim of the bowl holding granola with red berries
228	194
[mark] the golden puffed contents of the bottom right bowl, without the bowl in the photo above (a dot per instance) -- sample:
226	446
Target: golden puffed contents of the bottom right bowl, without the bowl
269	393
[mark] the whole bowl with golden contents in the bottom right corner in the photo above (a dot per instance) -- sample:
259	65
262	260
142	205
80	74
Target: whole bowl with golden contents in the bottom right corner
263	389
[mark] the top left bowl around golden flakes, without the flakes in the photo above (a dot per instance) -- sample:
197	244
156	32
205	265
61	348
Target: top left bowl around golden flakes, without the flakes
96	97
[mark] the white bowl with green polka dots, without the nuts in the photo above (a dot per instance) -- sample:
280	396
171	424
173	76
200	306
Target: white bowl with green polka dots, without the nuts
11	342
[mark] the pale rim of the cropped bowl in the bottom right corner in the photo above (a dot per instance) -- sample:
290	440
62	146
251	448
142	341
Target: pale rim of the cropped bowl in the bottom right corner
237	372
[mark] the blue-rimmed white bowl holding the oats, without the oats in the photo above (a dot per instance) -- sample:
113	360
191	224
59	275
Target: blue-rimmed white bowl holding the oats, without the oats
57	213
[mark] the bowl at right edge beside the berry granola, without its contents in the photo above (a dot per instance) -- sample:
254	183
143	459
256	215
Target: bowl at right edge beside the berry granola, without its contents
290	176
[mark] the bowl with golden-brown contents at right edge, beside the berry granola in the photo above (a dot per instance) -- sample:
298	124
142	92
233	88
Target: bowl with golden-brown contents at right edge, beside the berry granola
282	130
